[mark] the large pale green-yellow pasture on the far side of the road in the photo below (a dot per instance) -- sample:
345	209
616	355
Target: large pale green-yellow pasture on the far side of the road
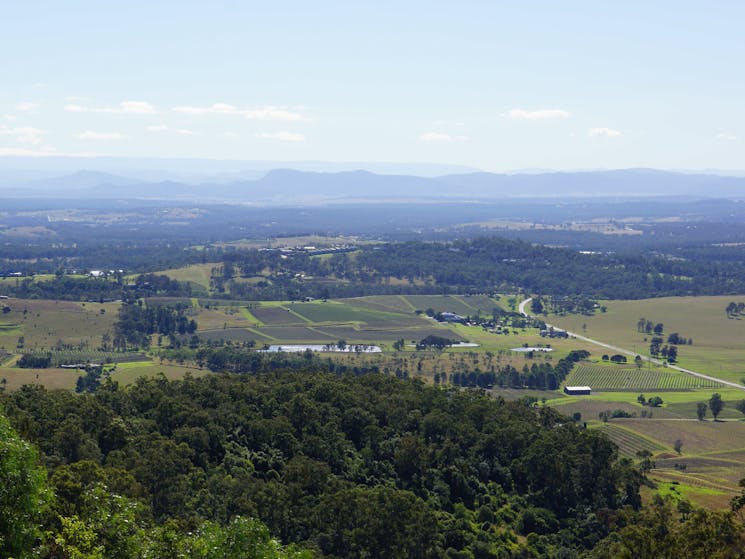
718	342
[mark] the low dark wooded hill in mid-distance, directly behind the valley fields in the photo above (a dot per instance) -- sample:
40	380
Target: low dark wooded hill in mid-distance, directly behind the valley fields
485	264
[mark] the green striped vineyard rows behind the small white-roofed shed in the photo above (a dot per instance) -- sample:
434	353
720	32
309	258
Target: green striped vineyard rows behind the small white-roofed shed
611	378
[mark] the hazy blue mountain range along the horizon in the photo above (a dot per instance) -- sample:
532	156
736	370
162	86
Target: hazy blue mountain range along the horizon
292	186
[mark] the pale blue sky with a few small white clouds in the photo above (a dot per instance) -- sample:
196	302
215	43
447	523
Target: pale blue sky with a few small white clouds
499	86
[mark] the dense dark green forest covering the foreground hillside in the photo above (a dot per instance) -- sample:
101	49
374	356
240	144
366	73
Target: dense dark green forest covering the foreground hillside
367	466
